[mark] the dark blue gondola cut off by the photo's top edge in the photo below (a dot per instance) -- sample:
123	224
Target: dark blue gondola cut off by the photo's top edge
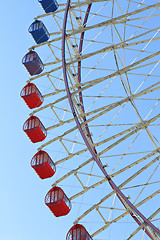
49	5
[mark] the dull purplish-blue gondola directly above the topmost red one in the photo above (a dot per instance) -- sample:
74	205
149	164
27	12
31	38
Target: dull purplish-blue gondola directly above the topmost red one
33	63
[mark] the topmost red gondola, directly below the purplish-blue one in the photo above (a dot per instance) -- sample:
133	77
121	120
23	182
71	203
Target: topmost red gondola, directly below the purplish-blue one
32	96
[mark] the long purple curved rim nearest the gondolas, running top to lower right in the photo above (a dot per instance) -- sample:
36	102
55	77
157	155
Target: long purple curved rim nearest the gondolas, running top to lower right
112	184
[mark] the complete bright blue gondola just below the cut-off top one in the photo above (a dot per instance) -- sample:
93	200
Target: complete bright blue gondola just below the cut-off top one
39	32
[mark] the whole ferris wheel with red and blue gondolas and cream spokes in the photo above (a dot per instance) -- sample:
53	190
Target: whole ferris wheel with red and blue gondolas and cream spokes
94	93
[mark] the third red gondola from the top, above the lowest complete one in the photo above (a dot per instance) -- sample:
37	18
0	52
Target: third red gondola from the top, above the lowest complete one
43	165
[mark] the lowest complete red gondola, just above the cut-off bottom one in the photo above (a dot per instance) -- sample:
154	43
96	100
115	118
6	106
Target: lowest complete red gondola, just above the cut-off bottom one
58	202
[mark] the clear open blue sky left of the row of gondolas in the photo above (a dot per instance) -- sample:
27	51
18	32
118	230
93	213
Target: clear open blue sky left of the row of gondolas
23	214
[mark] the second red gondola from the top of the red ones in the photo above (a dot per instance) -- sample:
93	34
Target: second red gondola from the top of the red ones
34	129
